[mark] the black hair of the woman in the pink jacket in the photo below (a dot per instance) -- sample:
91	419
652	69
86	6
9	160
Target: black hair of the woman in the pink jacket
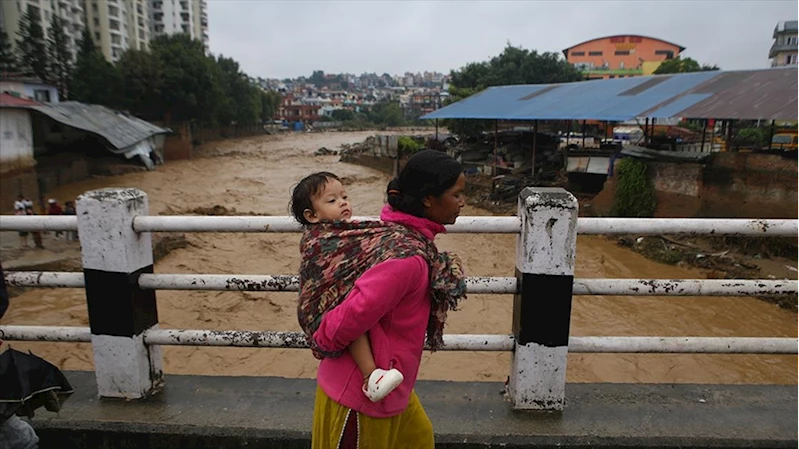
427	173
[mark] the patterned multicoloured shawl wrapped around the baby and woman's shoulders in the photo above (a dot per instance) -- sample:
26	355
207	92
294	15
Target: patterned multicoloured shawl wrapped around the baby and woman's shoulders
336	254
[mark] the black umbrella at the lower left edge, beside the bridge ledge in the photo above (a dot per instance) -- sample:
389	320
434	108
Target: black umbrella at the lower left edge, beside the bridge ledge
28	382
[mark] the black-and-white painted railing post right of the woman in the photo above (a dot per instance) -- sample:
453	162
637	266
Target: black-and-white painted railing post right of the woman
545	251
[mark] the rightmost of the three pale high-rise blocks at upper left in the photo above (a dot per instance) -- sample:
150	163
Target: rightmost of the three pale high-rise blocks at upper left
180	16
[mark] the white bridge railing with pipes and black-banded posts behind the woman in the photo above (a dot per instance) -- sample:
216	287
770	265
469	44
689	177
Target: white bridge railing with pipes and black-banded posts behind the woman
114	227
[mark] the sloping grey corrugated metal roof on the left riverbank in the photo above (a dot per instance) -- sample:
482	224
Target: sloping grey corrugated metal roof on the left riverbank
120	130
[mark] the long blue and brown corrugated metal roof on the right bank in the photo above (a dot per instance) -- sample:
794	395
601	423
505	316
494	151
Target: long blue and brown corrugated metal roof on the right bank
767	94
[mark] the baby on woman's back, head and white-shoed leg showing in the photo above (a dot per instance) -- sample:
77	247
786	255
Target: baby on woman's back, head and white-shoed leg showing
321	197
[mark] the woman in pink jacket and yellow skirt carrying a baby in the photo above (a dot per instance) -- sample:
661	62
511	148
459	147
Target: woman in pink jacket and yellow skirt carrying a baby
403	295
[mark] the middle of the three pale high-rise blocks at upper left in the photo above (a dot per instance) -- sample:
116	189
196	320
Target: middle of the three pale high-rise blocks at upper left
118	25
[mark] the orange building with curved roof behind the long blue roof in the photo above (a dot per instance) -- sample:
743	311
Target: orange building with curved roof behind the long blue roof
621	55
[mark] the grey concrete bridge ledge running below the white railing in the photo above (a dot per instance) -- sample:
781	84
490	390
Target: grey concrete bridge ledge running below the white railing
264	412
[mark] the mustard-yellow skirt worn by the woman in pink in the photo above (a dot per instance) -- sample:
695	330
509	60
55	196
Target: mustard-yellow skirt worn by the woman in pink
412	429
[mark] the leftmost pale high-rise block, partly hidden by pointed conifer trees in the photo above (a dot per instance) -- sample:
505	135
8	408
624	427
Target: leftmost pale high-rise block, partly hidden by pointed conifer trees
70	11
